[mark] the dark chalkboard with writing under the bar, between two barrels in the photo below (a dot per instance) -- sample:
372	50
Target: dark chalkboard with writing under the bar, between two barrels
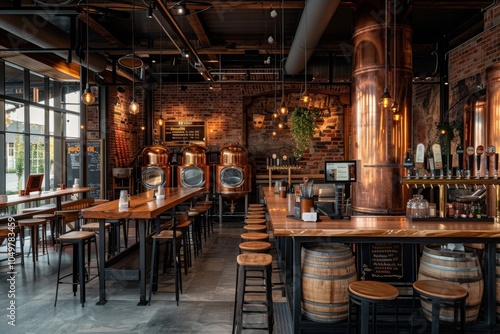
387	262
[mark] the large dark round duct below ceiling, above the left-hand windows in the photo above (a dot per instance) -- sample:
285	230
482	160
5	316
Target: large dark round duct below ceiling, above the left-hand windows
34	29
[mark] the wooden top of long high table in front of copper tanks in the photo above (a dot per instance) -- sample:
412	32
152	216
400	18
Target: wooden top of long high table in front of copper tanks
142	206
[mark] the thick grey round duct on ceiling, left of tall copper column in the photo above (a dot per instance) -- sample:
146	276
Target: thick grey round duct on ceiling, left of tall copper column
315	18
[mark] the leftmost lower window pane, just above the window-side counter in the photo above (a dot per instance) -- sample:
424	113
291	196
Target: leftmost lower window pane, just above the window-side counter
15	163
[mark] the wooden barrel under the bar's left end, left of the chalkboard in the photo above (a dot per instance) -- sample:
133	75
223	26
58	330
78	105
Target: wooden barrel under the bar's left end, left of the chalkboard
327	271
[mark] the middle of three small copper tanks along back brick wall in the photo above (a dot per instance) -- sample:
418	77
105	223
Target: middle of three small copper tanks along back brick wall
194	171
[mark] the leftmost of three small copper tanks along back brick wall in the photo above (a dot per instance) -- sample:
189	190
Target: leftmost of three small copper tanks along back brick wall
155	170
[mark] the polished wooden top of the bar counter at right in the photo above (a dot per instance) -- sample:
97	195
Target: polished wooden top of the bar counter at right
372	226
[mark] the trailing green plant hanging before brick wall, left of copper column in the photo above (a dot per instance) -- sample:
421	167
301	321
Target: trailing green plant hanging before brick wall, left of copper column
302	128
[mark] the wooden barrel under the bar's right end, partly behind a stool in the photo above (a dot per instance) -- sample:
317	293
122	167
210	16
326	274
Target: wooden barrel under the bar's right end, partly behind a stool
461	267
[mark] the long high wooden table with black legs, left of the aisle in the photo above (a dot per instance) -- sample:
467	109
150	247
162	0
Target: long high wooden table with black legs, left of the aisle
143	207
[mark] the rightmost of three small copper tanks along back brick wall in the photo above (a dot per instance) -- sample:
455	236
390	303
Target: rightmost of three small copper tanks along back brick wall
234	174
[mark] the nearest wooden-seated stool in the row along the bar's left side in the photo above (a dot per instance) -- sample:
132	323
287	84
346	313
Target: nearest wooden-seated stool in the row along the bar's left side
253	262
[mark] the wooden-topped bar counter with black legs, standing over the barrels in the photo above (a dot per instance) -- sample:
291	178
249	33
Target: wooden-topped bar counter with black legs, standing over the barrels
380	229
